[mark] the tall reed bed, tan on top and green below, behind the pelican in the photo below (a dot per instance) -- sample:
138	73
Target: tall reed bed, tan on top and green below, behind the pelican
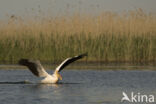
107	37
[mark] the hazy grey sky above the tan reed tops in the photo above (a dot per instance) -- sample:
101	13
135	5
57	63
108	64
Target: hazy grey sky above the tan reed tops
59	7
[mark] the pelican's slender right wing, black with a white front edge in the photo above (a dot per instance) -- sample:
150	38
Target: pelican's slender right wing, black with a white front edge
68	61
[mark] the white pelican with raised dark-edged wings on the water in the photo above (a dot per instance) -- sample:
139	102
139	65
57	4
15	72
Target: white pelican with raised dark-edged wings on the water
37	69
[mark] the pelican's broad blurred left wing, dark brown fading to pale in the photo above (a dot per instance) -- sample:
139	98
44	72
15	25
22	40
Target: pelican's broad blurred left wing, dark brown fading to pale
34	66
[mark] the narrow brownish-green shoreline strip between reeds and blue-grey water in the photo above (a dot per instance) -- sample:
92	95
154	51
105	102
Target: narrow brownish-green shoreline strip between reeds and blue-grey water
87	66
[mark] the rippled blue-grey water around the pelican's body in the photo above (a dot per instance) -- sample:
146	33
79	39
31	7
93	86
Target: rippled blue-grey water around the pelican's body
77	87
